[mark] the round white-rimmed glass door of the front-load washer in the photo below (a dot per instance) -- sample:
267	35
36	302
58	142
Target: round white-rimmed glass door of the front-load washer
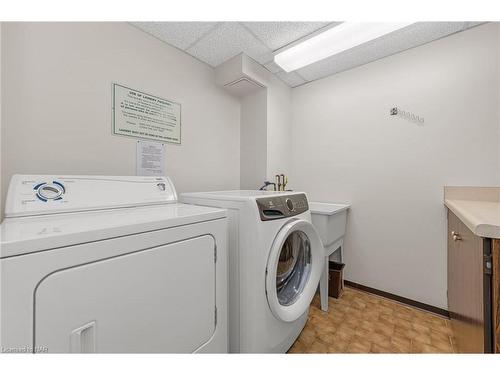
293	270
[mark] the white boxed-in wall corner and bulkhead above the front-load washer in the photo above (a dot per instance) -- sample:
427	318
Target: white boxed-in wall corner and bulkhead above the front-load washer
265	123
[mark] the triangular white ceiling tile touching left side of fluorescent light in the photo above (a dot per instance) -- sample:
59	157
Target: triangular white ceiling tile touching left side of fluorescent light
278	34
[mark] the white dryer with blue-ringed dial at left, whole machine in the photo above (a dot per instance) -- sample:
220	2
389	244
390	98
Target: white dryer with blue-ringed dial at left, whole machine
110	265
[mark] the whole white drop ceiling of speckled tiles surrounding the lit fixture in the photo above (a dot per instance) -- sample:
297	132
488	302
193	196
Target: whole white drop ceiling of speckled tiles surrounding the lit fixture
216	42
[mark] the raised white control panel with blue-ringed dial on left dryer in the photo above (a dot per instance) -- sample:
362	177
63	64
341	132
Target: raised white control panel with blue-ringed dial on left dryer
48	194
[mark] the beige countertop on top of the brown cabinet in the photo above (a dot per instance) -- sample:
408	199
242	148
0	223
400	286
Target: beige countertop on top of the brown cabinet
478	208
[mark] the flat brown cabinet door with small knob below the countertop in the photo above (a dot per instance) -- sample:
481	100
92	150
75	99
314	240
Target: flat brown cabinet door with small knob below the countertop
465	286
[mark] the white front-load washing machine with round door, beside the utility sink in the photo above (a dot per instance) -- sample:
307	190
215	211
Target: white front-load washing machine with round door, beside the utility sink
275	262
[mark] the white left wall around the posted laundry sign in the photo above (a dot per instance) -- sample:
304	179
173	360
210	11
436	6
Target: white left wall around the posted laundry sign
57	104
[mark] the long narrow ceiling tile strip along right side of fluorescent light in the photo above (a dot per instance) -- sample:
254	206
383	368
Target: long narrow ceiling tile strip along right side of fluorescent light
409	37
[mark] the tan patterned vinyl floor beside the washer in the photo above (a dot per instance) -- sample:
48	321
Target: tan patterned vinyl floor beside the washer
360	322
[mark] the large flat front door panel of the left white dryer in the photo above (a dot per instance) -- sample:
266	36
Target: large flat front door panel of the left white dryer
131	303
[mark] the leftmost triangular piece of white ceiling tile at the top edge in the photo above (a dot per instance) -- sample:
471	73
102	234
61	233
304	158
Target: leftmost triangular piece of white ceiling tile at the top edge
179	34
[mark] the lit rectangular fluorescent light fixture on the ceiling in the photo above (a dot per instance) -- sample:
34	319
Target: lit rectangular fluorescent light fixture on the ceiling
332	41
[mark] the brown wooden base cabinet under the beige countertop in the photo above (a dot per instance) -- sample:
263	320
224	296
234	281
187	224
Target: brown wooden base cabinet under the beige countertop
470	289
